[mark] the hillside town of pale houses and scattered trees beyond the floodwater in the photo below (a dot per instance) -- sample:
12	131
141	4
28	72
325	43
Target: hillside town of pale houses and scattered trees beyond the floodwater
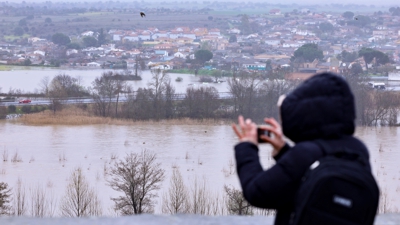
294	44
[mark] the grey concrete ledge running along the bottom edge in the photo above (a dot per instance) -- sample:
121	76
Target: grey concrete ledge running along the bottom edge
384	219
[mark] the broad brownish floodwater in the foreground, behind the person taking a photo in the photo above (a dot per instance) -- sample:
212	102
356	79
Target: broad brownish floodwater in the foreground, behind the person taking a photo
50	153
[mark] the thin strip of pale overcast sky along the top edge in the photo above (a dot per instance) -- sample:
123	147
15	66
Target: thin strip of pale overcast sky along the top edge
300	2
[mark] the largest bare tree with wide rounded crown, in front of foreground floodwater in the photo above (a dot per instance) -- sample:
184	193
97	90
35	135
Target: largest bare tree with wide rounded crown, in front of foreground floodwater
137	176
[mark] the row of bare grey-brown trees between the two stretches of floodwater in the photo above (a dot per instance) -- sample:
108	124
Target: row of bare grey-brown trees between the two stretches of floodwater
250	94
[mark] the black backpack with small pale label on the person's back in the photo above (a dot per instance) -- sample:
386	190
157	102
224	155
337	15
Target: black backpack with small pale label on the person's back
338	189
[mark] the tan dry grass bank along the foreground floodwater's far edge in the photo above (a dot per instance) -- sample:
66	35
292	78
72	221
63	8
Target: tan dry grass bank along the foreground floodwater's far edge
75	117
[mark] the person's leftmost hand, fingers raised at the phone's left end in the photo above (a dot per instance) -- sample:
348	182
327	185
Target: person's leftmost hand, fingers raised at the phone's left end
247	132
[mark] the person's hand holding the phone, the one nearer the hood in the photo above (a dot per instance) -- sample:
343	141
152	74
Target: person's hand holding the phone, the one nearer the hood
276	140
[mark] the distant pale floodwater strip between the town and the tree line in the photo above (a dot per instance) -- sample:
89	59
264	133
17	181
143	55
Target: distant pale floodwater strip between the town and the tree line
29	80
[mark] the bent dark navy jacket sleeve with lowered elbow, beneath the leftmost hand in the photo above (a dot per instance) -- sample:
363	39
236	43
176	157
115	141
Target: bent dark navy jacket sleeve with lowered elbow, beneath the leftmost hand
276	187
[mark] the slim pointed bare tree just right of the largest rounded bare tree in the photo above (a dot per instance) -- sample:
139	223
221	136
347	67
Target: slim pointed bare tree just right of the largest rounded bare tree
177	198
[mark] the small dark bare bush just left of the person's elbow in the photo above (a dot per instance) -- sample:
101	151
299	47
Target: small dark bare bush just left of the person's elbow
236	203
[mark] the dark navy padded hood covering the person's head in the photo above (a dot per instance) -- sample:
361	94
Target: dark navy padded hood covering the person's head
321	107
